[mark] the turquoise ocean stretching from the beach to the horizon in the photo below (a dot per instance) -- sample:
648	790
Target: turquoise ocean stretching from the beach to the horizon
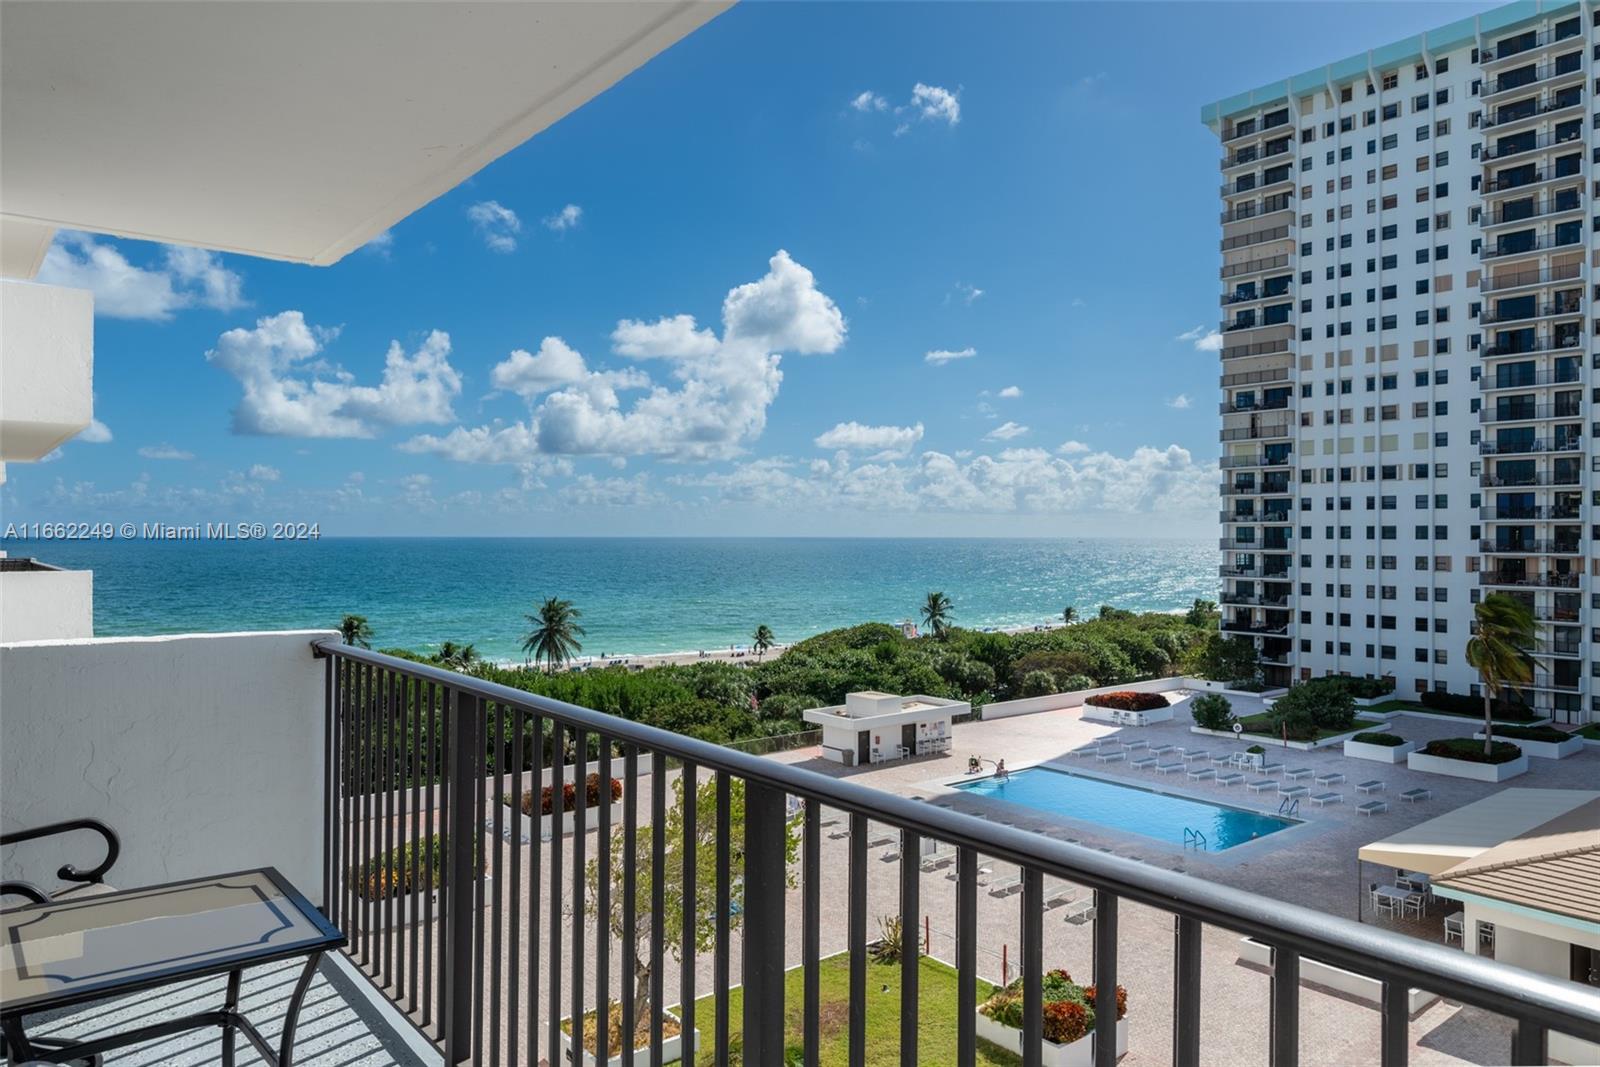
638	594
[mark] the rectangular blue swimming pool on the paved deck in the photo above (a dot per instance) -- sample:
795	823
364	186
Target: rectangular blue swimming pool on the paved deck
1130	809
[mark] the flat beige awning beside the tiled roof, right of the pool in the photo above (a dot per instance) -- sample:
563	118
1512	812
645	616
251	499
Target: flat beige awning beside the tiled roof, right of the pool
1463	834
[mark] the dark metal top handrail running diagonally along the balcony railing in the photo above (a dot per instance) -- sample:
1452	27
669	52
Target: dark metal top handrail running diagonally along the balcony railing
1524	996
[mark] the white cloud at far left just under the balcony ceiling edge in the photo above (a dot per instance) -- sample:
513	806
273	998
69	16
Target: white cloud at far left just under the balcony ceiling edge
185	278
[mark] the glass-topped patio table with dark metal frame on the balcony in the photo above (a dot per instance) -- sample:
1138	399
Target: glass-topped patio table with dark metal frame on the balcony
81	949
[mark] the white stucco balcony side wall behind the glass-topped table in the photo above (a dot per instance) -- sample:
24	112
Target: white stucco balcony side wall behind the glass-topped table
202	751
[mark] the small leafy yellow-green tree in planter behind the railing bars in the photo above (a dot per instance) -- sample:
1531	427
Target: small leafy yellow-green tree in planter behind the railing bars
700	914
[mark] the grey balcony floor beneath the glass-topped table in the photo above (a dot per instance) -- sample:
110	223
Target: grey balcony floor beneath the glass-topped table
342	1025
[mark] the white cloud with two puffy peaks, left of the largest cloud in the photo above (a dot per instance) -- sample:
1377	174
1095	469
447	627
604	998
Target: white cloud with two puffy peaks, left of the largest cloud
290	393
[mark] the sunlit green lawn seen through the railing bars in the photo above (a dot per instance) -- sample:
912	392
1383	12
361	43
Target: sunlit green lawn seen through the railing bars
937	1015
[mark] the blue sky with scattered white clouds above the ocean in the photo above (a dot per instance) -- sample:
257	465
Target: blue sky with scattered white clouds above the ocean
945	263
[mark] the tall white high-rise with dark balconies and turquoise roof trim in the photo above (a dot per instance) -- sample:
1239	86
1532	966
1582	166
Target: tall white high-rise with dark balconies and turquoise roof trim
1410	343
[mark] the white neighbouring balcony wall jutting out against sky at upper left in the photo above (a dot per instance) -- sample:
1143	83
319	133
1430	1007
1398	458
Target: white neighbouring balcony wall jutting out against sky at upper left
47	367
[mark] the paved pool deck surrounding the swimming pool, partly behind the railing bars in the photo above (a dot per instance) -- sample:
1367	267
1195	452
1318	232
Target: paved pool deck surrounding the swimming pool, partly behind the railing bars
1314	866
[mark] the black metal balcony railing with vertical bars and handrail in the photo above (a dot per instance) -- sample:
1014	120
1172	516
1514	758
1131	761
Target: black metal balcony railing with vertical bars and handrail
417	756
